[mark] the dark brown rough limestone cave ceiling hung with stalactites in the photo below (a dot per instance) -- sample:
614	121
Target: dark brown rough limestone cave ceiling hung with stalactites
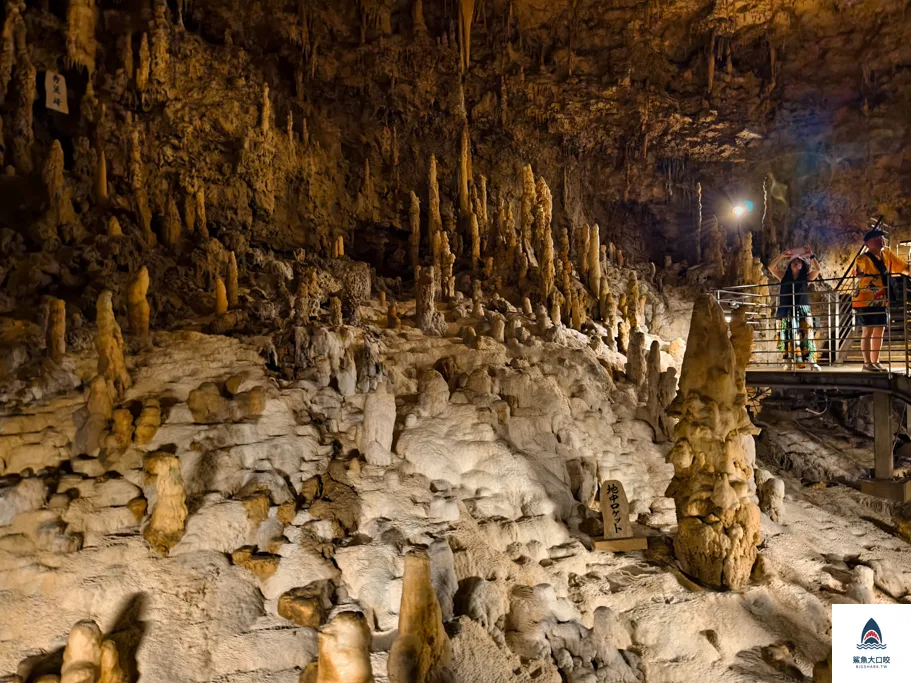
622	106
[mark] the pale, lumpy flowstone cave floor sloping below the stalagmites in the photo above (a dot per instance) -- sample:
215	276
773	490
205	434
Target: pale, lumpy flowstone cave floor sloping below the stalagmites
496	455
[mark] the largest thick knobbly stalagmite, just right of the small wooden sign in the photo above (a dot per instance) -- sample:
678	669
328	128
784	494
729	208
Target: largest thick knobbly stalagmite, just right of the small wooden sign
719	526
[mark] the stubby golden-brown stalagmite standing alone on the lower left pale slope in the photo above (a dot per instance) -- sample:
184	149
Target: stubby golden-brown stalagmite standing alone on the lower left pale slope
169	514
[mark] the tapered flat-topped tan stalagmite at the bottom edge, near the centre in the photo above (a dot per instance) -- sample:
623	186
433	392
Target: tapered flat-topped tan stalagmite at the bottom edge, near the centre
421	651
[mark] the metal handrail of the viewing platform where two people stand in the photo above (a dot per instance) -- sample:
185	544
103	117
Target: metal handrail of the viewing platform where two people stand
833	321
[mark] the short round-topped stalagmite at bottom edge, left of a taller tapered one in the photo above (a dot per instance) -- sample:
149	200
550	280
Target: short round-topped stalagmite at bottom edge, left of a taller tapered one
344	652
